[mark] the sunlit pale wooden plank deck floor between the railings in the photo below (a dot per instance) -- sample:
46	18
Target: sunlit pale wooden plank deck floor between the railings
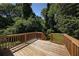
42	48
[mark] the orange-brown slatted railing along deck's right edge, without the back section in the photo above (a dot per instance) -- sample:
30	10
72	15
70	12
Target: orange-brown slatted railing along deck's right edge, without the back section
72	45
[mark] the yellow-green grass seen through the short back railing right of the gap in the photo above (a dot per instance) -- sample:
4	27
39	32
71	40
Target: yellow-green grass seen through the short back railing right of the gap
57	37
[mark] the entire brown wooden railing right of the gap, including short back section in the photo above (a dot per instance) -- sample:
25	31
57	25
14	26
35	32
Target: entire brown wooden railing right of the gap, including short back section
71	43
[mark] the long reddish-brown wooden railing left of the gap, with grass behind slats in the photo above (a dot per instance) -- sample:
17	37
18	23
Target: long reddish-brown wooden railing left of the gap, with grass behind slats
10	41
